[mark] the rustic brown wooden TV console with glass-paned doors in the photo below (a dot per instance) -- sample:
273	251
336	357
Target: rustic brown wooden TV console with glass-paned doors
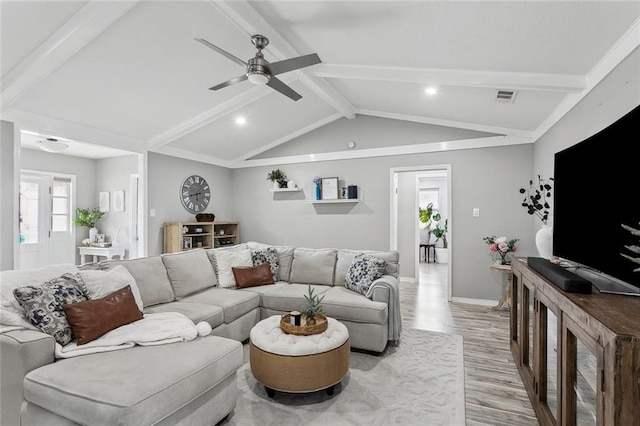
578	354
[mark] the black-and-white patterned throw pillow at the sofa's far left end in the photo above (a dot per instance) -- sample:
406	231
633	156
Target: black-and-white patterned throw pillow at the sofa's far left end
43	305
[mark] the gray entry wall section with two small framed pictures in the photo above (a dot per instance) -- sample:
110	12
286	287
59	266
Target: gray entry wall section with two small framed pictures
114	174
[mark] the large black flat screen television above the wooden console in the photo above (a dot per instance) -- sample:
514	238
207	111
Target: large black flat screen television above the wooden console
596	195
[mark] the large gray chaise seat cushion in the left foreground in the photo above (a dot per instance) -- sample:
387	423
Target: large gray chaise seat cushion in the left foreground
149	383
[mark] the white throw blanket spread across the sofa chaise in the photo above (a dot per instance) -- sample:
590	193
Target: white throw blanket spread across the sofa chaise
153	329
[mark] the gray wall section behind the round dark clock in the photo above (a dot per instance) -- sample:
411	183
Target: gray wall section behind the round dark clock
165	175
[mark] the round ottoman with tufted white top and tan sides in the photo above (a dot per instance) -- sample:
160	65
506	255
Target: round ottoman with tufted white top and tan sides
291	363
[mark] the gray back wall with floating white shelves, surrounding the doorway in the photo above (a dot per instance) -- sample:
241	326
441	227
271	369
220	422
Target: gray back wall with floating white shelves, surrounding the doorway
487	178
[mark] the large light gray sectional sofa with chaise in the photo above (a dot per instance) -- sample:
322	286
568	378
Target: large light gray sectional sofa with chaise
190	382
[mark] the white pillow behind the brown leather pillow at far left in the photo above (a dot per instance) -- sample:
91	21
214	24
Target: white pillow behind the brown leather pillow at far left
99	283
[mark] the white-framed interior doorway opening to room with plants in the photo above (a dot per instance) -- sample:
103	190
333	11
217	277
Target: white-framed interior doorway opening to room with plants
405	226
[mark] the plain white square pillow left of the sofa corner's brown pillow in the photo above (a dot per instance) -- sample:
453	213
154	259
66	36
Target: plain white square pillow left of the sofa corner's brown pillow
189	272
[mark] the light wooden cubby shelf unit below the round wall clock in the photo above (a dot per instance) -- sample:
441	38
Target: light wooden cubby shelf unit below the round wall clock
183	236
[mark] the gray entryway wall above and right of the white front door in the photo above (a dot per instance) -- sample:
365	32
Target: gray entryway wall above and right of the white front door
83	168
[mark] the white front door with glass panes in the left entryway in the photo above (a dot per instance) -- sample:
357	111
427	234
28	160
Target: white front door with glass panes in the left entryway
46	233
